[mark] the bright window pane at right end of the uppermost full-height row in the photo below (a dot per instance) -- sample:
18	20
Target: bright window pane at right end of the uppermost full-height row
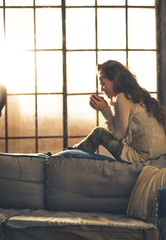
144	37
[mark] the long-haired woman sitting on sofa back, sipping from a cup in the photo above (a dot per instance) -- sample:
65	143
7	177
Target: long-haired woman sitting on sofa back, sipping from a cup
135	121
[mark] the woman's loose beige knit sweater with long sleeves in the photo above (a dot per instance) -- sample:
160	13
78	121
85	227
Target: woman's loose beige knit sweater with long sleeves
143	137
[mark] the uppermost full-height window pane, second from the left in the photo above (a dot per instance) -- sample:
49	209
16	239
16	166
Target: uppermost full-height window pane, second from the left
48	28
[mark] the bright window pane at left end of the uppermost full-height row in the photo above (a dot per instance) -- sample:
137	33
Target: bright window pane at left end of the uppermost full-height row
19	28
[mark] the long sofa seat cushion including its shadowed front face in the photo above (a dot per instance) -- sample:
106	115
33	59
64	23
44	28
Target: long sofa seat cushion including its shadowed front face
41	224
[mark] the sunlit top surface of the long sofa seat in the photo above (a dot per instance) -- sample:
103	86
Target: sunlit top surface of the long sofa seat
43	218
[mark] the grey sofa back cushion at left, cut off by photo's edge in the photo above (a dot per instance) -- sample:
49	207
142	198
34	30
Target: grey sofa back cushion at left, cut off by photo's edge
22	180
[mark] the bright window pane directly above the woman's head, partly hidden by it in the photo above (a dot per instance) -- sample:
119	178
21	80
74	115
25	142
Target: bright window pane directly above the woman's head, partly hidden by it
104	56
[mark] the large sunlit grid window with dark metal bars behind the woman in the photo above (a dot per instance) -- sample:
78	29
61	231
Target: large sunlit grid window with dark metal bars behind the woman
49	50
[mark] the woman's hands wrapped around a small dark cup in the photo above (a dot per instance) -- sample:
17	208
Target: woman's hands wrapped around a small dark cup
98	103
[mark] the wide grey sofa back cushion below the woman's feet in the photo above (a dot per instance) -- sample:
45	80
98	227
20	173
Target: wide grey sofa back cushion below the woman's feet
79	181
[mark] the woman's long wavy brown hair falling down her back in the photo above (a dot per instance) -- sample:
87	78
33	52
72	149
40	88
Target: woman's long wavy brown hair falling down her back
125	81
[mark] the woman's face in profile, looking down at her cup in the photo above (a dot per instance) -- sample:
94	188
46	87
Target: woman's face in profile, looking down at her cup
107	86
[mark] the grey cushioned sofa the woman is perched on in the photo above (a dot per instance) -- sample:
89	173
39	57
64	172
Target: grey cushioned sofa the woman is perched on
77	195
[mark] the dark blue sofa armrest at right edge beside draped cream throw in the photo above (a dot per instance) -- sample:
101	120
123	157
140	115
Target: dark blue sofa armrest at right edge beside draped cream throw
161	202
